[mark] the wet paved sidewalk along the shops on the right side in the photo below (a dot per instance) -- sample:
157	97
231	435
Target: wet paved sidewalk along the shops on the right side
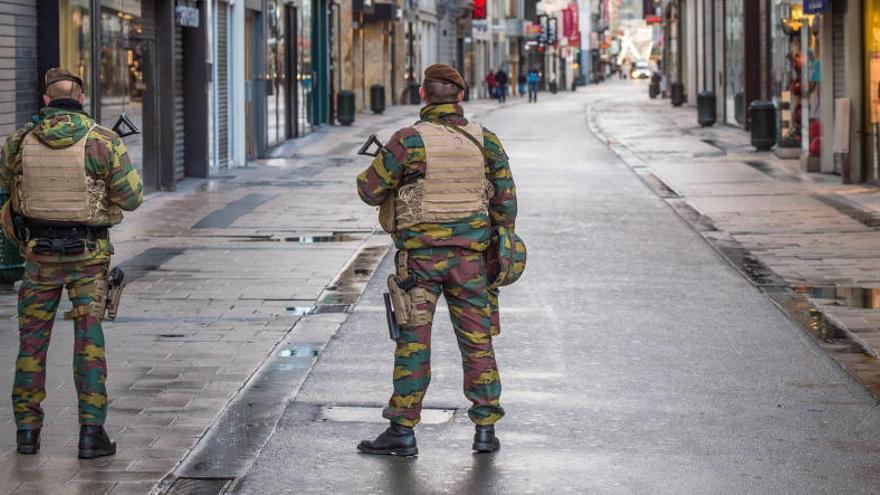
818	235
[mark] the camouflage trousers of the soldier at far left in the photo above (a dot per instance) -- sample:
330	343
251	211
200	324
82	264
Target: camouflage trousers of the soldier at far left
38	301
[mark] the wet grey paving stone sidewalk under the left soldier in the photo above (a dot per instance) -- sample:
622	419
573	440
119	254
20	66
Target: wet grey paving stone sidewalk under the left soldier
219	272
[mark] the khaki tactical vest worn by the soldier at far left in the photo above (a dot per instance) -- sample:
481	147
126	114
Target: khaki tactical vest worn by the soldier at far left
54	185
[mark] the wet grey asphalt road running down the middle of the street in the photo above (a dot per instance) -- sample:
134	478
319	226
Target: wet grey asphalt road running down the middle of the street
634	360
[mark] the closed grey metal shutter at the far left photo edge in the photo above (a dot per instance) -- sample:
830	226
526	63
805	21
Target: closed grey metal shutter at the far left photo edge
18	63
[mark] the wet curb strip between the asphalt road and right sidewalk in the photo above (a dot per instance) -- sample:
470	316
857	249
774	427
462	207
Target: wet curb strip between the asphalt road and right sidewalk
844	346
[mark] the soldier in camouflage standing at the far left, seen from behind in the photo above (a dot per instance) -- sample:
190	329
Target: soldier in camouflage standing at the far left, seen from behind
69	179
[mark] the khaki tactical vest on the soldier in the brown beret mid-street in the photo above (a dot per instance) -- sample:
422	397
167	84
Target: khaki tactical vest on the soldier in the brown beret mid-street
455	184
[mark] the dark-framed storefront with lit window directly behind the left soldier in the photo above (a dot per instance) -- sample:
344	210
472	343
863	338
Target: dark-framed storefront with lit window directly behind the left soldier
113	46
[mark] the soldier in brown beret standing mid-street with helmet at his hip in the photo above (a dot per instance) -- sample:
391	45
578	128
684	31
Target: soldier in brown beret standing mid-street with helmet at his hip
443	253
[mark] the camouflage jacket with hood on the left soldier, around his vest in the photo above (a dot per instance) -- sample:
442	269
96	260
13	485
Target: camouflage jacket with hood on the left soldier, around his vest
106	159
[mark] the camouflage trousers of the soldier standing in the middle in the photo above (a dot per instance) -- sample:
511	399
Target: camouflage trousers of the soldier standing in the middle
461	276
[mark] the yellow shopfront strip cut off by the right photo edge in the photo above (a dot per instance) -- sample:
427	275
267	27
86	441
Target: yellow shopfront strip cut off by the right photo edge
872	90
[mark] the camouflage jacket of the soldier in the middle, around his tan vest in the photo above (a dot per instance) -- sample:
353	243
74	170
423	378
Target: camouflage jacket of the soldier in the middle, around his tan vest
402	162
